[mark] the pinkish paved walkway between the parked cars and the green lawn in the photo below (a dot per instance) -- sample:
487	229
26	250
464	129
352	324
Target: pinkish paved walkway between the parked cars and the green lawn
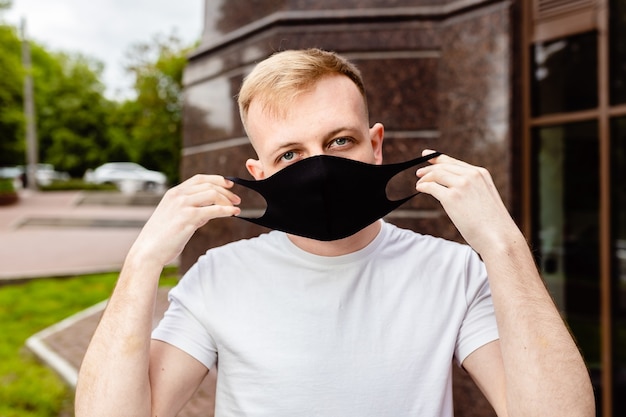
58	233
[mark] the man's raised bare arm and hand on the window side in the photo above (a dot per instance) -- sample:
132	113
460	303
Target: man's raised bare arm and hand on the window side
538	361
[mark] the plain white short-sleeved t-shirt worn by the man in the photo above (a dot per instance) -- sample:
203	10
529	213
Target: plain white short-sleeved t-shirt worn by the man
371	333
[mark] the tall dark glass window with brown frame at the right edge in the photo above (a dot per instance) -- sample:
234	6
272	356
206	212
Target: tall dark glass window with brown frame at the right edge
575	99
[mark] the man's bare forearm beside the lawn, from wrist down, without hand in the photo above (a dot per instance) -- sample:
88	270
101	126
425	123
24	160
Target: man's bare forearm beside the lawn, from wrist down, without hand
113	379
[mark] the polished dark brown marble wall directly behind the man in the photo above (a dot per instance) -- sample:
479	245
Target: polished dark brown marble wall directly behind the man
438	75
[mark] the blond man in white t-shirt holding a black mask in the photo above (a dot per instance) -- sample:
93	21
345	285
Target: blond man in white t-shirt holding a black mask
362	325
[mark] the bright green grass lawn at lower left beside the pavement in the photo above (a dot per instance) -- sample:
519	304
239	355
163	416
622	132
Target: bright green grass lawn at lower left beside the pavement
28	388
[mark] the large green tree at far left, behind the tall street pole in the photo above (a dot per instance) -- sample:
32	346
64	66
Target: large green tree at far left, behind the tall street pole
70	107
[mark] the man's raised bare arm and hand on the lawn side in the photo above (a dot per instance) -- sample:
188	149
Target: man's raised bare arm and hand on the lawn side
118	376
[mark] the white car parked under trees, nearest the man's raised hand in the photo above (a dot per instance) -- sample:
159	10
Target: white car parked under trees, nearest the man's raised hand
128	177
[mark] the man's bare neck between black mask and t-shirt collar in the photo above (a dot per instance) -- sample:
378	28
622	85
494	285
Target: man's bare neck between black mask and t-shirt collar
339	247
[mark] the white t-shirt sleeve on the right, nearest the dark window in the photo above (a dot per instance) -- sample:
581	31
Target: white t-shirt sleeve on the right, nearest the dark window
479	324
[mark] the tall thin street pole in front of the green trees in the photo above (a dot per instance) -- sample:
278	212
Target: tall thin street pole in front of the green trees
29	113
